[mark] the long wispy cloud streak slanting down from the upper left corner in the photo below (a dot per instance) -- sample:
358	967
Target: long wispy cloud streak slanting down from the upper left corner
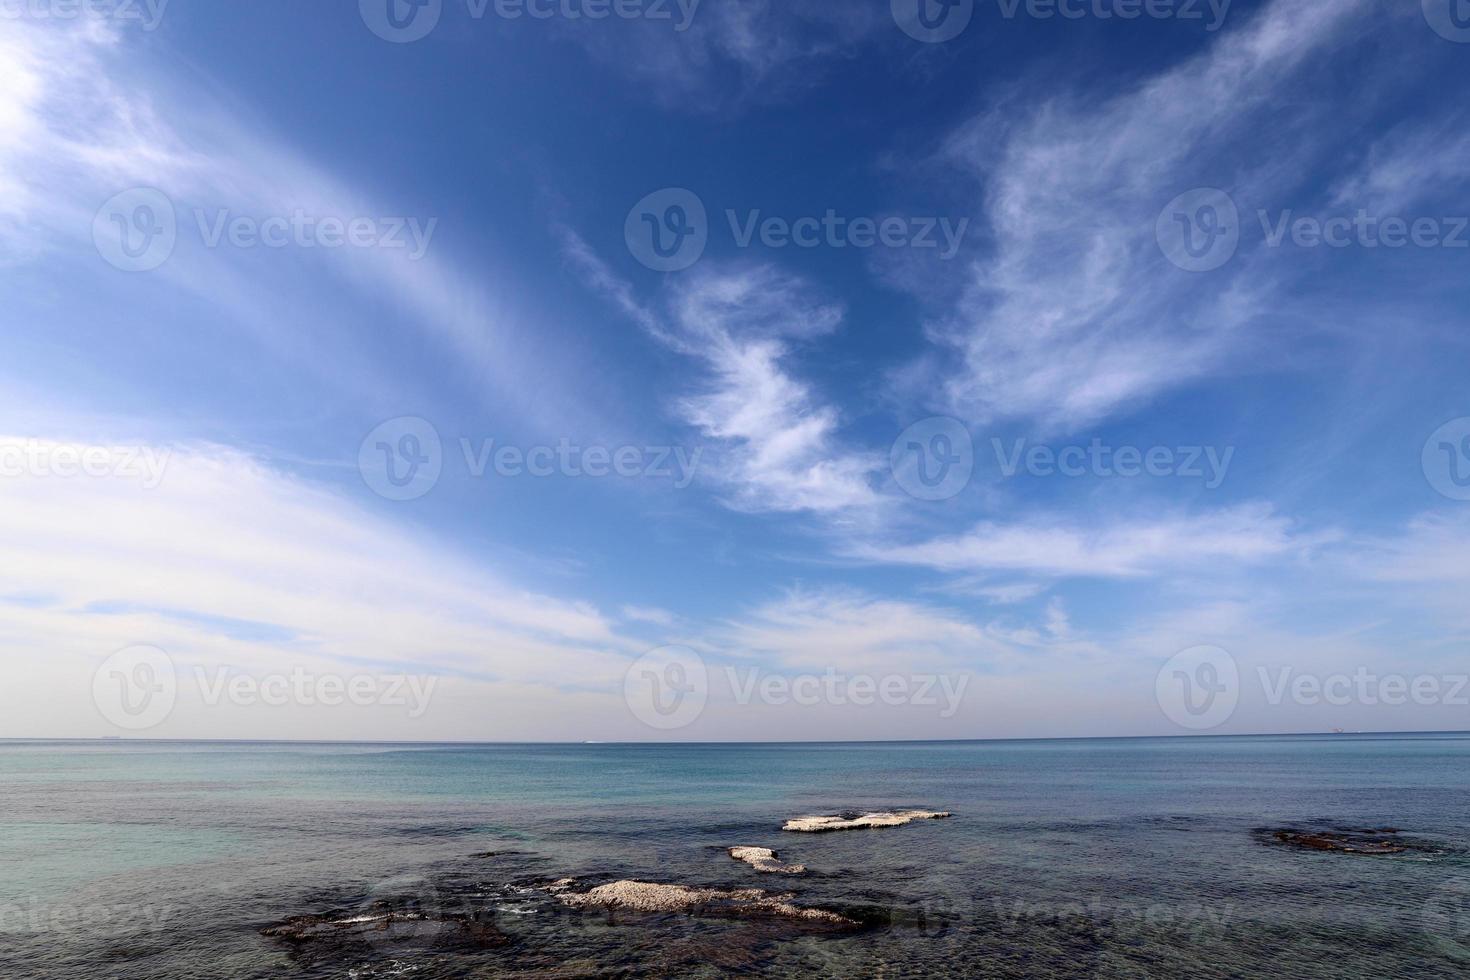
93	117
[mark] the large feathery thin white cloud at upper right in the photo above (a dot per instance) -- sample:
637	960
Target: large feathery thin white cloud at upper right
1077	315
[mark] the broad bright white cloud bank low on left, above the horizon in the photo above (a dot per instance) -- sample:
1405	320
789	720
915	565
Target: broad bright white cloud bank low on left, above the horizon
229	562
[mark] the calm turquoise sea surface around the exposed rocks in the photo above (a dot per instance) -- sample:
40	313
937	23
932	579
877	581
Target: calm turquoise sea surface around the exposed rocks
1068	859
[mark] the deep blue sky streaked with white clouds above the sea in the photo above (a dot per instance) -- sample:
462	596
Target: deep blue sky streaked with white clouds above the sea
559	371
